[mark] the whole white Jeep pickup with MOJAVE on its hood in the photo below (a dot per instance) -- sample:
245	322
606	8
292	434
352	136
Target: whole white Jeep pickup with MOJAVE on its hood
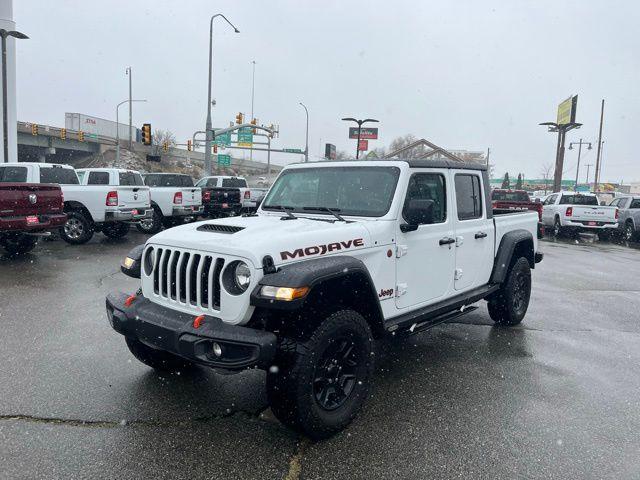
338	255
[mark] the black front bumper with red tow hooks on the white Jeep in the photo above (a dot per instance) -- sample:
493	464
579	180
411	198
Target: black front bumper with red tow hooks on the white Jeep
172	331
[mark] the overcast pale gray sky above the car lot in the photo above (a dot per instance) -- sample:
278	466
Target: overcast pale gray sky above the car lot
463	74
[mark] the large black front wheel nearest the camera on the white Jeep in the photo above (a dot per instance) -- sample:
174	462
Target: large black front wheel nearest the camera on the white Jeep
320	383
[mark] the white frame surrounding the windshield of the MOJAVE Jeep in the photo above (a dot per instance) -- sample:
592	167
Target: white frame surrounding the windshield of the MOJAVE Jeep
300	209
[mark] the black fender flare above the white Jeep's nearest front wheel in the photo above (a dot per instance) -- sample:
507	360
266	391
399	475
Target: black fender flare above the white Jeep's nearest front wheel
315	273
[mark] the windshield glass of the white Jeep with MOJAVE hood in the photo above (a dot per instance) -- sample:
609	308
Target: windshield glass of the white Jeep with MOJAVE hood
359	191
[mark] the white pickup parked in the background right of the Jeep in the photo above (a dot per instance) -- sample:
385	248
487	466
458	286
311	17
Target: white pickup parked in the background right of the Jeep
571	212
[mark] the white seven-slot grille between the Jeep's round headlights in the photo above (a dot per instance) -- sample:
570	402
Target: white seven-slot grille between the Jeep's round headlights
192	279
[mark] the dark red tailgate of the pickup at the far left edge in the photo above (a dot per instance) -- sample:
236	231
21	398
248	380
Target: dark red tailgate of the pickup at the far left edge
30	199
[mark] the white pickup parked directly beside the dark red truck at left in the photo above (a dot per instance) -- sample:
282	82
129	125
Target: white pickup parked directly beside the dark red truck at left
92	208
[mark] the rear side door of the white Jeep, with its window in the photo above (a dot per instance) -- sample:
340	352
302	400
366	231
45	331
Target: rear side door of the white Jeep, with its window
474	232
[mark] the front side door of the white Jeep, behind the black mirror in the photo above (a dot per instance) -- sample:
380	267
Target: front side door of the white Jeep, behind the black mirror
424	263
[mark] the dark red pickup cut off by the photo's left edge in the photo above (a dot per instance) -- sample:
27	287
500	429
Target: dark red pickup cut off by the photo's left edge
27	211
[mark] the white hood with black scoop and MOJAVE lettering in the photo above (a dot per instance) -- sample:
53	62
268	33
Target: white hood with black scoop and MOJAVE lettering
254	237
